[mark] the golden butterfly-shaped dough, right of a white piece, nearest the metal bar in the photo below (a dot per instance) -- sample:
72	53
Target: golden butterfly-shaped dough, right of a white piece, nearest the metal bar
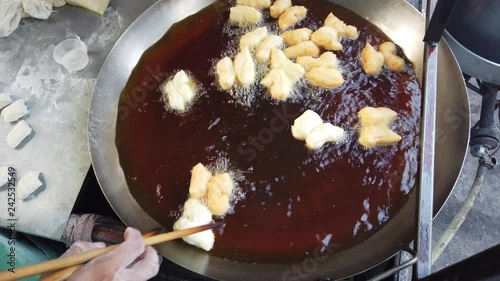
374	127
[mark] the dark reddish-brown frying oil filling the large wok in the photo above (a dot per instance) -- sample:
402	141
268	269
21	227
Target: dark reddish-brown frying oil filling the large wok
294	199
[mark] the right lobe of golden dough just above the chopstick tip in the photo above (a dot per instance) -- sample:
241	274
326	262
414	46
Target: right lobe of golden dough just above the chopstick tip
219	189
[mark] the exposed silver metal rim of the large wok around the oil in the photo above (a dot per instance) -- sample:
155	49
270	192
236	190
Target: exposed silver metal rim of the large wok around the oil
400	21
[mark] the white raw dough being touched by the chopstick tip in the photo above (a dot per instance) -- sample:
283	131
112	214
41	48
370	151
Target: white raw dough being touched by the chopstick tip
196	214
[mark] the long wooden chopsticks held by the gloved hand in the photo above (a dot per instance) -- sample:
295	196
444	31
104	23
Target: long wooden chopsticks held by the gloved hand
64	267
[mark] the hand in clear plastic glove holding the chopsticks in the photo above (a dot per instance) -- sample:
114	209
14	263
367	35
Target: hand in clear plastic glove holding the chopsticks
129	261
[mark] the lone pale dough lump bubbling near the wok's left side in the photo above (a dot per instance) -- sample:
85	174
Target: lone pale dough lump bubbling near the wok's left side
179	92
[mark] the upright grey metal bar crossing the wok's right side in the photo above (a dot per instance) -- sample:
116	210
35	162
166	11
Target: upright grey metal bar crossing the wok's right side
427	148
